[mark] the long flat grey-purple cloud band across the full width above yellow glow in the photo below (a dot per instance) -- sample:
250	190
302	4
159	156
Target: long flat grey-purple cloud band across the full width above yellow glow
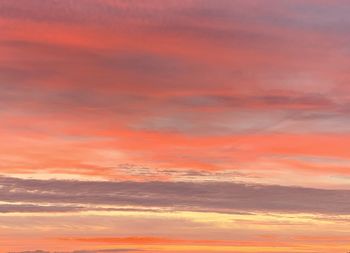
209	196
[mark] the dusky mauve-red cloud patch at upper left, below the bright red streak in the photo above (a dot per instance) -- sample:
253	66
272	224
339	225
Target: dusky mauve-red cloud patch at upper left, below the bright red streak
121	65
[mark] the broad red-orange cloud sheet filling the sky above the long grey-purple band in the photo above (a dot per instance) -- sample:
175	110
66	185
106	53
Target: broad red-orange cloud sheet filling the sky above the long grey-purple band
190	72
